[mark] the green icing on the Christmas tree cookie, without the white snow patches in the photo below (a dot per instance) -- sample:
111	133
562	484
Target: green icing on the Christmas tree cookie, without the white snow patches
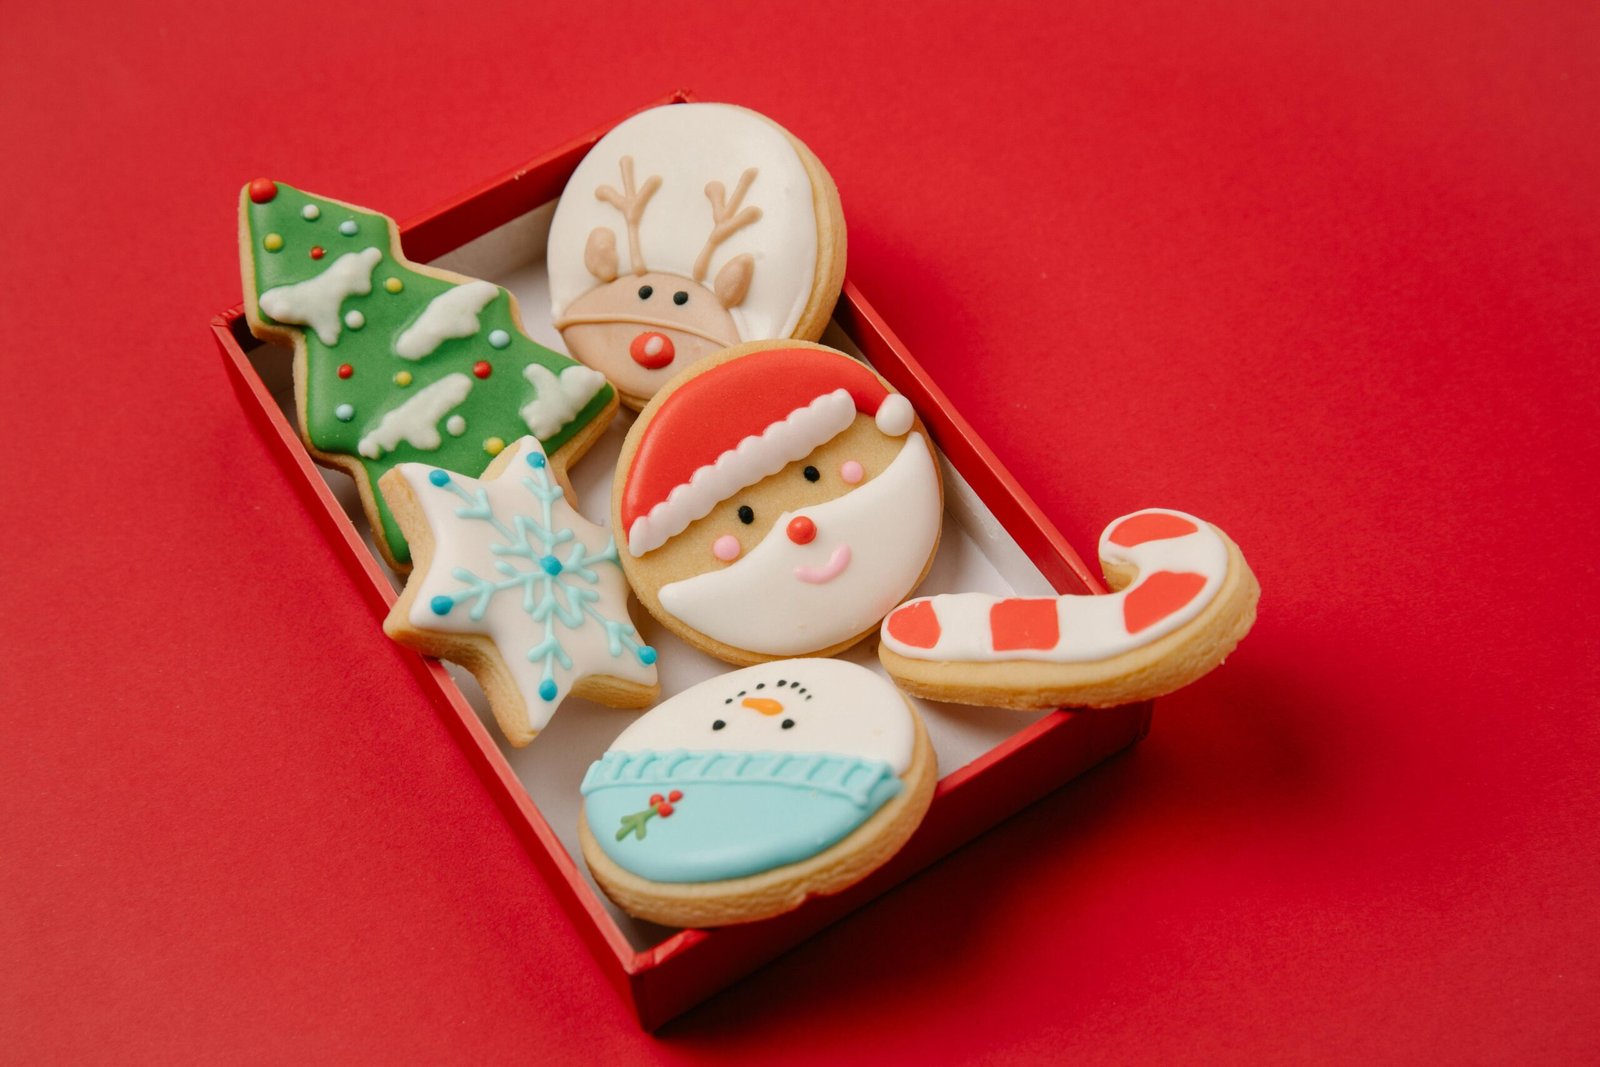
494	406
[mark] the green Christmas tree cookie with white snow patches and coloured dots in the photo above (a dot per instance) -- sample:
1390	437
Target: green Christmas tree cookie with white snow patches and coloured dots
396	362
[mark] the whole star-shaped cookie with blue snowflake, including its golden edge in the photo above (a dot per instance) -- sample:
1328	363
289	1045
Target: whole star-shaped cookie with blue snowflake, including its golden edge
518	588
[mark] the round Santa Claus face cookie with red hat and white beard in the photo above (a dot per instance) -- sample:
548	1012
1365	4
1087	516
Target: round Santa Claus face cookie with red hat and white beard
777	500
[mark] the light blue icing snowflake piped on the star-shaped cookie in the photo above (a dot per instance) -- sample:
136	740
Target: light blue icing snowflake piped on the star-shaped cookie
559	591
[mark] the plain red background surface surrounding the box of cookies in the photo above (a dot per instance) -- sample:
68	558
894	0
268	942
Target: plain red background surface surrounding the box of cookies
1324	278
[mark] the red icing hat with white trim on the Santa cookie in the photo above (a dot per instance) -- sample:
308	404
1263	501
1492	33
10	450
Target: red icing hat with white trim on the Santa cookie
738	423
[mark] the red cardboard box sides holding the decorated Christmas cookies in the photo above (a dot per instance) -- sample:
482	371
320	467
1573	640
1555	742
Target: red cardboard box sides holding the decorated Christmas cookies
689	965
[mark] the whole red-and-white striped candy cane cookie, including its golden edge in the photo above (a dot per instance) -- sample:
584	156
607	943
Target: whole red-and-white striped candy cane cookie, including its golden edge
1185	599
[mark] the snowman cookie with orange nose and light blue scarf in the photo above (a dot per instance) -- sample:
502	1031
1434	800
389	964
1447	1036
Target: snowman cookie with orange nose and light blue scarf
745	796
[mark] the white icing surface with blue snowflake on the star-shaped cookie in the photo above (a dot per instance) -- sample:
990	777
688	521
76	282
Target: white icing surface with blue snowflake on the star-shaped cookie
516	564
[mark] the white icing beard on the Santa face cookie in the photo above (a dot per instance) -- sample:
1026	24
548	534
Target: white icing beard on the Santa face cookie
890	527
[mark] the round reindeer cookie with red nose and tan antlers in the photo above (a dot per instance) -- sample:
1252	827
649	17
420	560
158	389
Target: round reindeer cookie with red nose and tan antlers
689	230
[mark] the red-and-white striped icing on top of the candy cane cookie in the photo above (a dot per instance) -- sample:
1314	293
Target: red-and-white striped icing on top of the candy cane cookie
1182	564
